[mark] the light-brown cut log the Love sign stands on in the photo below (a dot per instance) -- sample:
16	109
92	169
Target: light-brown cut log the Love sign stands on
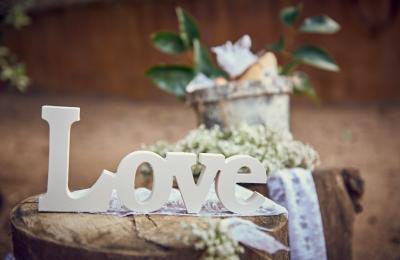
38	235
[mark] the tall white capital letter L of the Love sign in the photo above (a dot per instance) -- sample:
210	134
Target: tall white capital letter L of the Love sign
58	197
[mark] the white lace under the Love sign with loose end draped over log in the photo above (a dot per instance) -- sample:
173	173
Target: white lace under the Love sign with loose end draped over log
241	230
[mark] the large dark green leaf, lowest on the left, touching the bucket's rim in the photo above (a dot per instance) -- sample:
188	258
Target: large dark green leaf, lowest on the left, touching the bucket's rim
171	78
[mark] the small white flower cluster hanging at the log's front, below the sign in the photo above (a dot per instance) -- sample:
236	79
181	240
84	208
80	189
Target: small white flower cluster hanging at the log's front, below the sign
215	239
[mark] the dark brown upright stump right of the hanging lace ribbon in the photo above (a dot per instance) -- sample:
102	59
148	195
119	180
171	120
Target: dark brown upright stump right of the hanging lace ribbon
339	204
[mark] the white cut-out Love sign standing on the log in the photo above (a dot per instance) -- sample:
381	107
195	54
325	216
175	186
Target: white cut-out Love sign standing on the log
59	198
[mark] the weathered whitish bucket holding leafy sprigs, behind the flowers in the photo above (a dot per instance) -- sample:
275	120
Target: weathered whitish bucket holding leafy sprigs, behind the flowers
238	102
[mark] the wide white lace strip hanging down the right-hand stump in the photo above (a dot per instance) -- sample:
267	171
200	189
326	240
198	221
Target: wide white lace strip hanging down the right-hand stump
295	190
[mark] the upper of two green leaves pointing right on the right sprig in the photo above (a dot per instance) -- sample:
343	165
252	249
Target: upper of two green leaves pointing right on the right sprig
319	24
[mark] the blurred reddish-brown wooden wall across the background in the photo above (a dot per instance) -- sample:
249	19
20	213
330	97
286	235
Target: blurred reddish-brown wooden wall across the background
103	48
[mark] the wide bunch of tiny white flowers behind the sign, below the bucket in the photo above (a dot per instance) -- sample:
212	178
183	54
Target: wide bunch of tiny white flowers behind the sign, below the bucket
274	149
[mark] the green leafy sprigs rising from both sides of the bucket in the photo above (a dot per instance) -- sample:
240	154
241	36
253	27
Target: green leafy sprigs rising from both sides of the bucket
188	40
